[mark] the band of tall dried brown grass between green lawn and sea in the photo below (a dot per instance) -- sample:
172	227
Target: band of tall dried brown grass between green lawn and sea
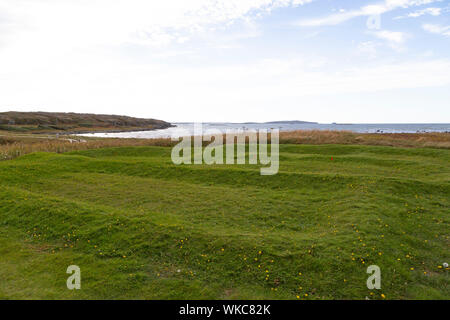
12	147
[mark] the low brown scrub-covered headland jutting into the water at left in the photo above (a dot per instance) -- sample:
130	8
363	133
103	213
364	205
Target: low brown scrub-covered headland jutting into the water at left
74	123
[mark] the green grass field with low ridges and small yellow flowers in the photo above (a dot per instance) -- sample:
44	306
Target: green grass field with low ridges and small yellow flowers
140	227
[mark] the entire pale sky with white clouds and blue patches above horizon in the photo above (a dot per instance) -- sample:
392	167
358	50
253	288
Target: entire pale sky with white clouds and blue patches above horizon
328	61
